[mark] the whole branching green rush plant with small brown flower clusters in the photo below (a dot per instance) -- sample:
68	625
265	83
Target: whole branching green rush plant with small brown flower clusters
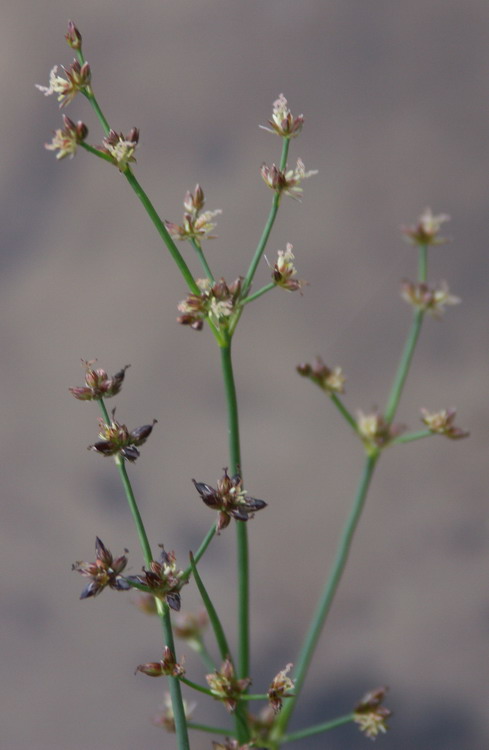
218	304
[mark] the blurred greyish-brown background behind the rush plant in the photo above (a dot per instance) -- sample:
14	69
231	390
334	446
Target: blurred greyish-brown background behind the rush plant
395	96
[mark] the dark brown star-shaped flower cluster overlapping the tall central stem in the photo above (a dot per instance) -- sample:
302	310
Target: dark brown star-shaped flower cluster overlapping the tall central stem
230	499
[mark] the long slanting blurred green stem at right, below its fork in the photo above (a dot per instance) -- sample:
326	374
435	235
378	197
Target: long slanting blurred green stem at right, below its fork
326	600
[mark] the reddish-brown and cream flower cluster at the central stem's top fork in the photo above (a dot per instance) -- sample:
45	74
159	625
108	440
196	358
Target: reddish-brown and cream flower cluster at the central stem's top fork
217	301
